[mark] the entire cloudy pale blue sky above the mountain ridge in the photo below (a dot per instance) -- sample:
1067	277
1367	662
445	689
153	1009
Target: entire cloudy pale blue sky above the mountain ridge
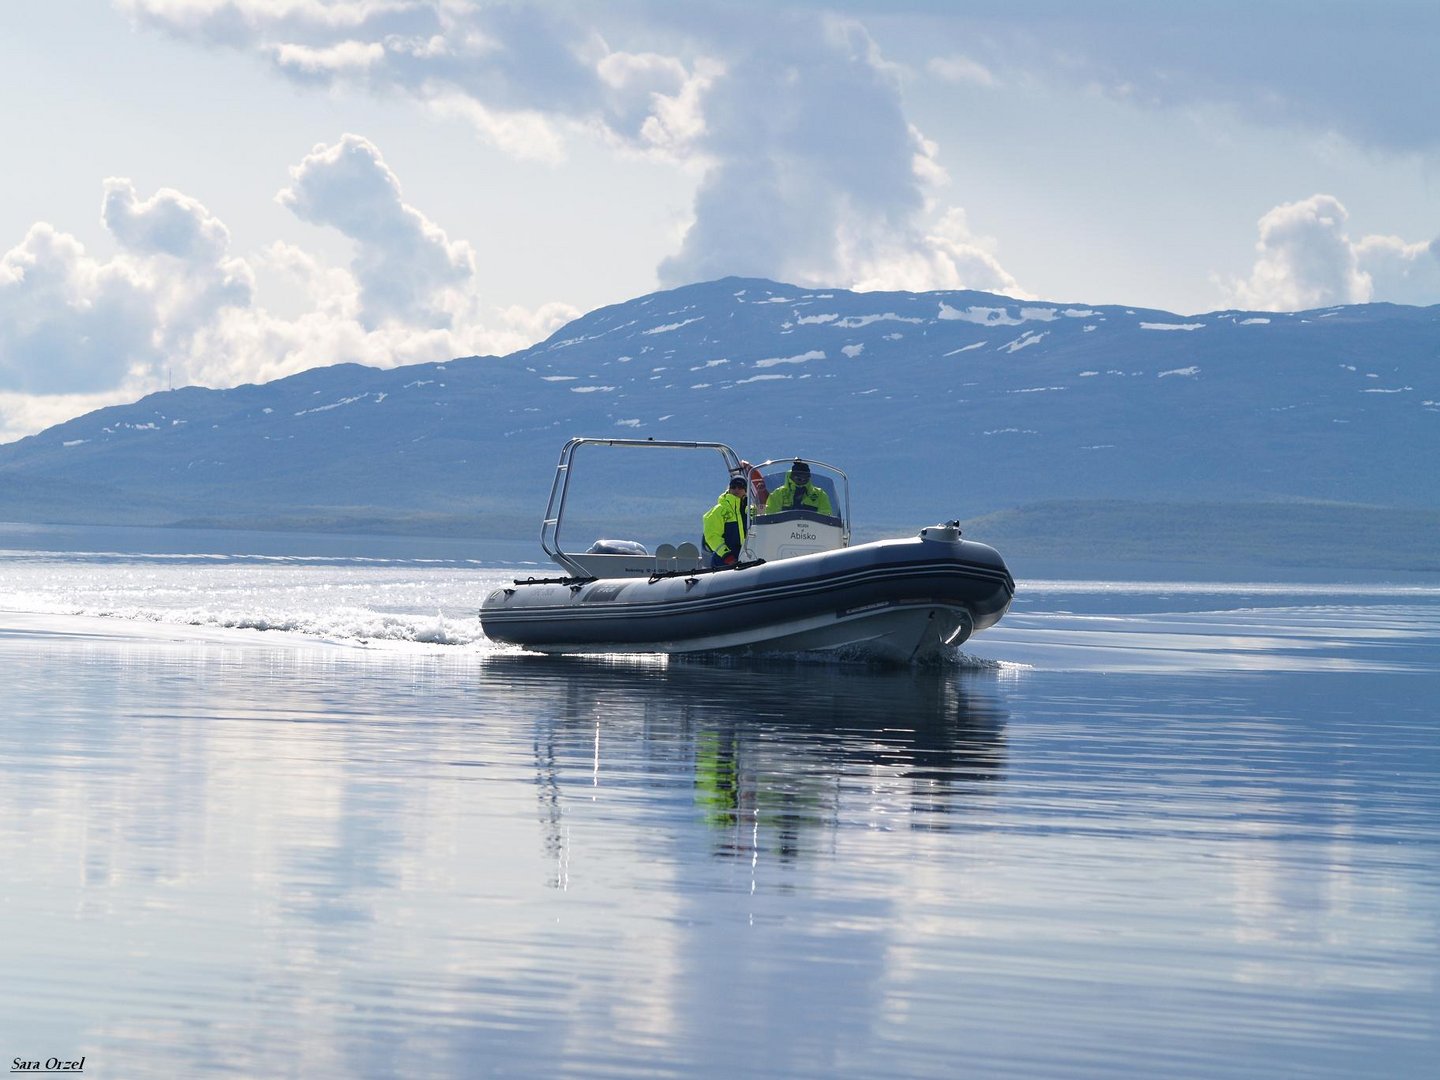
220	192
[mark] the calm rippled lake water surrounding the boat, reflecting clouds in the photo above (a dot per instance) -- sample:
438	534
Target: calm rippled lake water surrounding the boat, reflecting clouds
287	813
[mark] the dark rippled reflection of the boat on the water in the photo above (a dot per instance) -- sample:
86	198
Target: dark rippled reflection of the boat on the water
771	757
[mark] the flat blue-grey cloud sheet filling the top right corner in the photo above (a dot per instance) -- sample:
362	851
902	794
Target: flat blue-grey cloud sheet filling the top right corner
1278	64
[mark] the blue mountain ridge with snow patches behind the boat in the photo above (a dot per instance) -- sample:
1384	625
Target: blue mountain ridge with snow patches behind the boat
938	405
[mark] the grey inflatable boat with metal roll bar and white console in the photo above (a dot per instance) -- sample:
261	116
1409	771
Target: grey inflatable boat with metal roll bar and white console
796	587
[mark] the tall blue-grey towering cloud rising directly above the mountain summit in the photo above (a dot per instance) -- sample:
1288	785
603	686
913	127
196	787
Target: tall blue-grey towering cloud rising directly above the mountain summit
817	176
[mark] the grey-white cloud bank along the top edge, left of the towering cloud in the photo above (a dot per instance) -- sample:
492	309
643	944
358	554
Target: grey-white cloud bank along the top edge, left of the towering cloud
515	70
